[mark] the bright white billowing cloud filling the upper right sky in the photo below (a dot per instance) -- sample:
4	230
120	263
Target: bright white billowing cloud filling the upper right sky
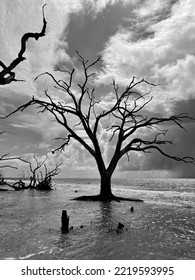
166	56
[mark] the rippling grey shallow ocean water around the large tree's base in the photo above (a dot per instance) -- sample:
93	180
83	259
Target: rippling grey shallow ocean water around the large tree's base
163	227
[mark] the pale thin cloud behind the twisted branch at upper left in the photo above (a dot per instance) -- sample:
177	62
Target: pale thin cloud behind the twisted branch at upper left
19	17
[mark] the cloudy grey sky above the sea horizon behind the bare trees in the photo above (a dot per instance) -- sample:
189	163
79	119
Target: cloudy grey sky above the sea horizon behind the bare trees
151	39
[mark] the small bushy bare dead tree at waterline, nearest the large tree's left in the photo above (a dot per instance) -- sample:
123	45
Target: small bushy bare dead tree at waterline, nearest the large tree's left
40	178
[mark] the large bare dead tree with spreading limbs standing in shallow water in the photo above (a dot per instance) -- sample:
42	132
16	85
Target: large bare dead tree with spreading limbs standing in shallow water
125	117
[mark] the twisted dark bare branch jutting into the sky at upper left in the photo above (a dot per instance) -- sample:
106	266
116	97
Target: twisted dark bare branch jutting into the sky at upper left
7	75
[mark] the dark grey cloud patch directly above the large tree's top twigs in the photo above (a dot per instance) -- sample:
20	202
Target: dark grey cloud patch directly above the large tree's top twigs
88	33
